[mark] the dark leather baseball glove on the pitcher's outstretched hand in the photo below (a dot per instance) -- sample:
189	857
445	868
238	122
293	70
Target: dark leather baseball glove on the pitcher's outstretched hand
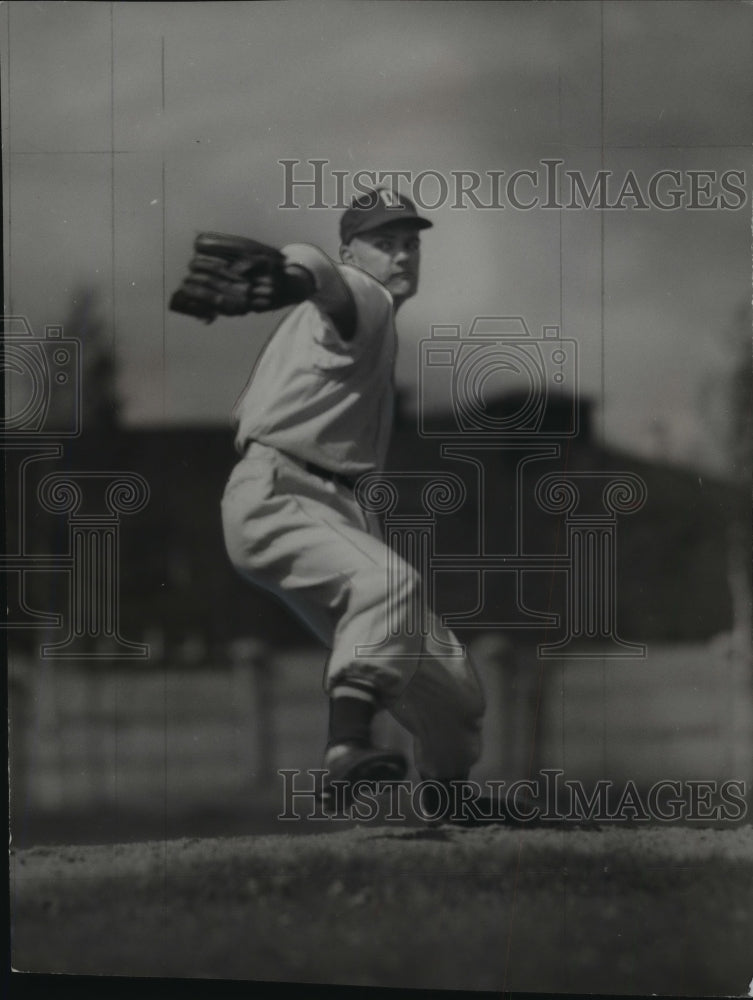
232	276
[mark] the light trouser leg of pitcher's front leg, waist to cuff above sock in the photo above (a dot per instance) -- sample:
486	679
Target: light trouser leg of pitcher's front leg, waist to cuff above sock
305	539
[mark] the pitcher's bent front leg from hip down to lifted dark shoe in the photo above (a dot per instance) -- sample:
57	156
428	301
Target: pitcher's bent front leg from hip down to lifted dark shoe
305	539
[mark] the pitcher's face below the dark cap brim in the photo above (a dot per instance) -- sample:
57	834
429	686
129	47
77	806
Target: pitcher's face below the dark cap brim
390	254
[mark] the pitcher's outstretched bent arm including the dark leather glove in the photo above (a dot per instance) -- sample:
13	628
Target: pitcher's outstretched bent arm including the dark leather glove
232	276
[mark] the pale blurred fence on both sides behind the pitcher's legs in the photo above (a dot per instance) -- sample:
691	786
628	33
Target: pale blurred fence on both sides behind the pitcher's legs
178	738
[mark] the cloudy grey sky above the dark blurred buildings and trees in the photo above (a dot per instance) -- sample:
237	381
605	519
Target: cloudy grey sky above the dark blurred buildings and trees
130	127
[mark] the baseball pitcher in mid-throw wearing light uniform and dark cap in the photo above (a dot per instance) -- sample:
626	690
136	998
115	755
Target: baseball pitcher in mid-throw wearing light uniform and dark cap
315	415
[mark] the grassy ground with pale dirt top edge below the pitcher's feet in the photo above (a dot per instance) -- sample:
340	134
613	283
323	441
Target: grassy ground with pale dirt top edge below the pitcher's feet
617	911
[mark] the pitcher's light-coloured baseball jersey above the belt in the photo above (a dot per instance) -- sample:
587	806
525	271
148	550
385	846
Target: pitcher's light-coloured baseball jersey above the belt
322	399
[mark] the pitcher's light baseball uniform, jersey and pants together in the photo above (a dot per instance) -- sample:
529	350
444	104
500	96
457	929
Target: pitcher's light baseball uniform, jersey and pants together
315	414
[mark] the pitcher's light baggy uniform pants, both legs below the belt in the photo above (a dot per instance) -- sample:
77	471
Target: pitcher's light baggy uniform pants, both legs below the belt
306	539
